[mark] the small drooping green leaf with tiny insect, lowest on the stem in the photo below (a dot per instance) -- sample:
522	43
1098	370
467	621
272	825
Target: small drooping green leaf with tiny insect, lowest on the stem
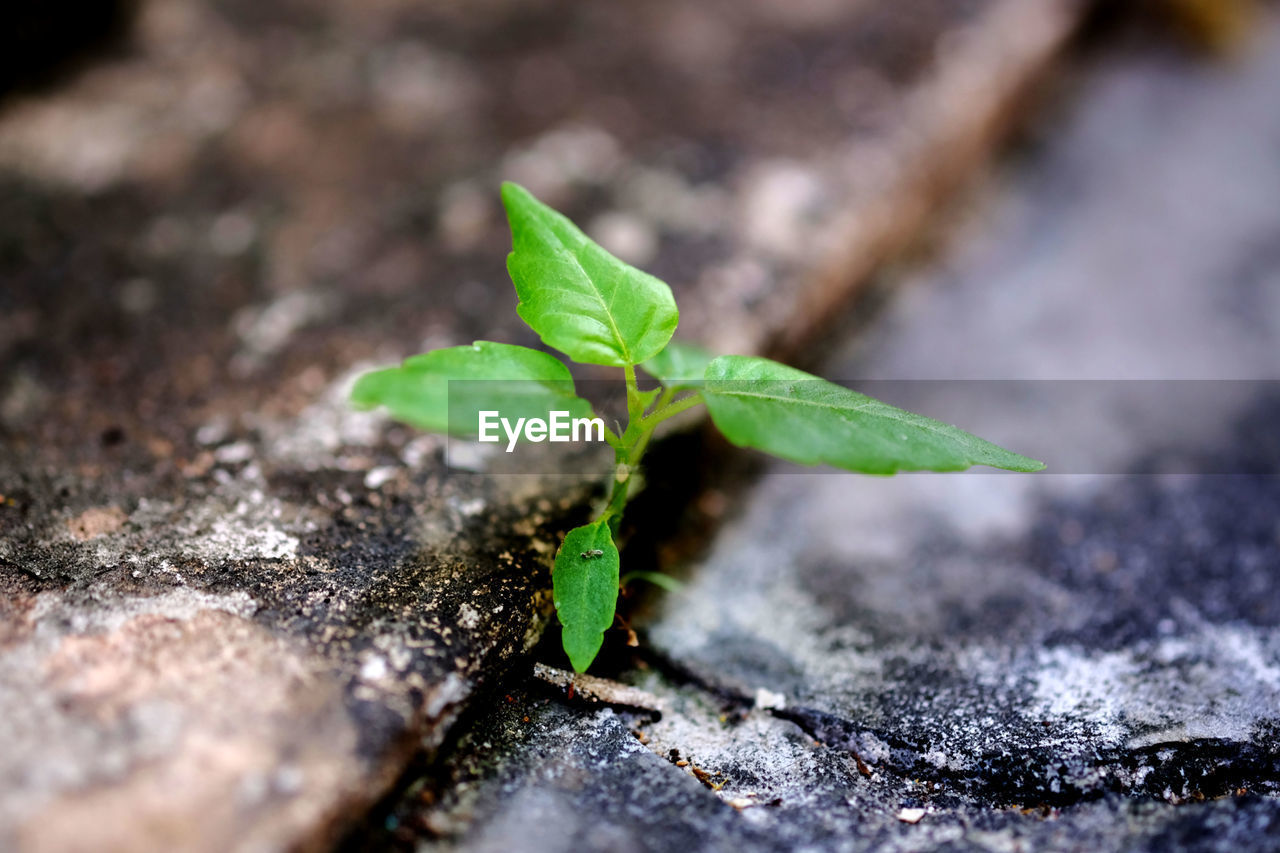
586	587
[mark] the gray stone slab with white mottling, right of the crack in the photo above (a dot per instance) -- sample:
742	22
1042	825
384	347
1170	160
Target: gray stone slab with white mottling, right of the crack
1081	660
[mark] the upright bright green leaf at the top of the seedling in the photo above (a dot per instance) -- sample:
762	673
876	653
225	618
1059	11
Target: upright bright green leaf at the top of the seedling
579	298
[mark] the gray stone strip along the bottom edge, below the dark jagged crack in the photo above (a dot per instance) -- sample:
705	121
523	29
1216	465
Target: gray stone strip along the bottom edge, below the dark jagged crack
540	776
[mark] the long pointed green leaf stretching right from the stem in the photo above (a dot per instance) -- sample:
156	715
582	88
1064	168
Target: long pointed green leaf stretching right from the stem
788	413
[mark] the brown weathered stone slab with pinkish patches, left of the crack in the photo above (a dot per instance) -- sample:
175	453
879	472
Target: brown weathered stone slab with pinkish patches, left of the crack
232	609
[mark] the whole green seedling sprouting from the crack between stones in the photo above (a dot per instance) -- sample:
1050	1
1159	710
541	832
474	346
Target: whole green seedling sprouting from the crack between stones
593	308
